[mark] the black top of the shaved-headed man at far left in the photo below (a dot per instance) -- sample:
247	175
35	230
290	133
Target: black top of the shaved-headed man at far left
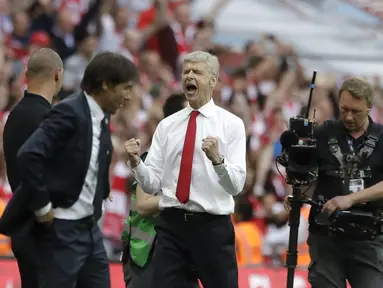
23	120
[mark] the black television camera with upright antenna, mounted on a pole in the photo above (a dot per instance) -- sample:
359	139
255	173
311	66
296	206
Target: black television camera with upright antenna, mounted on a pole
299	158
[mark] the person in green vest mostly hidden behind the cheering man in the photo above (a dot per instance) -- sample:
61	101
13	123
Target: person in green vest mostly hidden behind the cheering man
139	233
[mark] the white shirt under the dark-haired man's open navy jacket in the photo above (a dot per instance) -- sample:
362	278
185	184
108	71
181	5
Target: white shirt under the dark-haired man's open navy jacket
83	207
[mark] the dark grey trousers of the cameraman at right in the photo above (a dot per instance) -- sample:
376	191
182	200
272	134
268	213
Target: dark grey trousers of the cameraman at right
335	259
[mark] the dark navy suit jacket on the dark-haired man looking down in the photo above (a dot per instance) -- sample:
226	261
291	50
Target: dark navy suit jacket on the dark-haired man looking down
54	161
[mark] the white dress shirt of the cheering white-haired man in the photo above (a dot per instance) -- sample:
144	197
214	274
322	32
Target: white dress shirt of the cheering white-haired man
212	187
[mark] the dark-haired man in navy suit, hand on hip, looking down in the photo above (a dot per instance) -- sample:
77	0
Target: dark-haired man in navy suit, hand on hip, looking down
64	166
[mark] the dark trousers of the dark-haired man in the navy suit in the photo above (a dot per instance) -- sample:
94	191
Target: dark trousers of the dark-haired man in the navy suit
72	255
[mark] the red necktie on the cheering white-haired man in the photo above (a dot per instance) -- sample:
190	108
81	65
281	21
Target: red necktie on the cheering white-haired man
184	178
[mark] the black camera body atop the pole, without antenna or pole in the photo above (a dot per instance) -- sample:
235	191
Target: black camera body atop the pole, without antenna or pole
299	152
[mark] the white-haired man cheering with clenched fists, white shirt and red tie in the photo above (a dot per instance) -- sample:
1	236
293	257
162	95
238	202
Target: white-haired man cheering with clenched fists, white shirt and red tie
198	174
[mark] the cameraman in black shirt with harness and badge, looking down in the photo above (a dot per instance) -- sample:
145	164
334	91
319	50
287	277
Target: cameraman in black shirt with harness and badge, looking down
350	153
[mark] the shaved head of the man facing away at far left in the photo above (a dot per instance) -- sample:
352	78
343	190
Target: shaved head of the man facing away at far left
43	63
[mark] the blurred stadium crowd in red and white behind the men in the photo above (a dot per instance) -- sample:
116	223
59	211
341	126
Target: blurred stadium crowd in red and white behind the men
264	84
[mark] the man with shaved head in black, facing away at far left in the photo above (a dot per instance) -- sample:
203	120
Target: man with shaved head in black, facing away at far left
44	74
